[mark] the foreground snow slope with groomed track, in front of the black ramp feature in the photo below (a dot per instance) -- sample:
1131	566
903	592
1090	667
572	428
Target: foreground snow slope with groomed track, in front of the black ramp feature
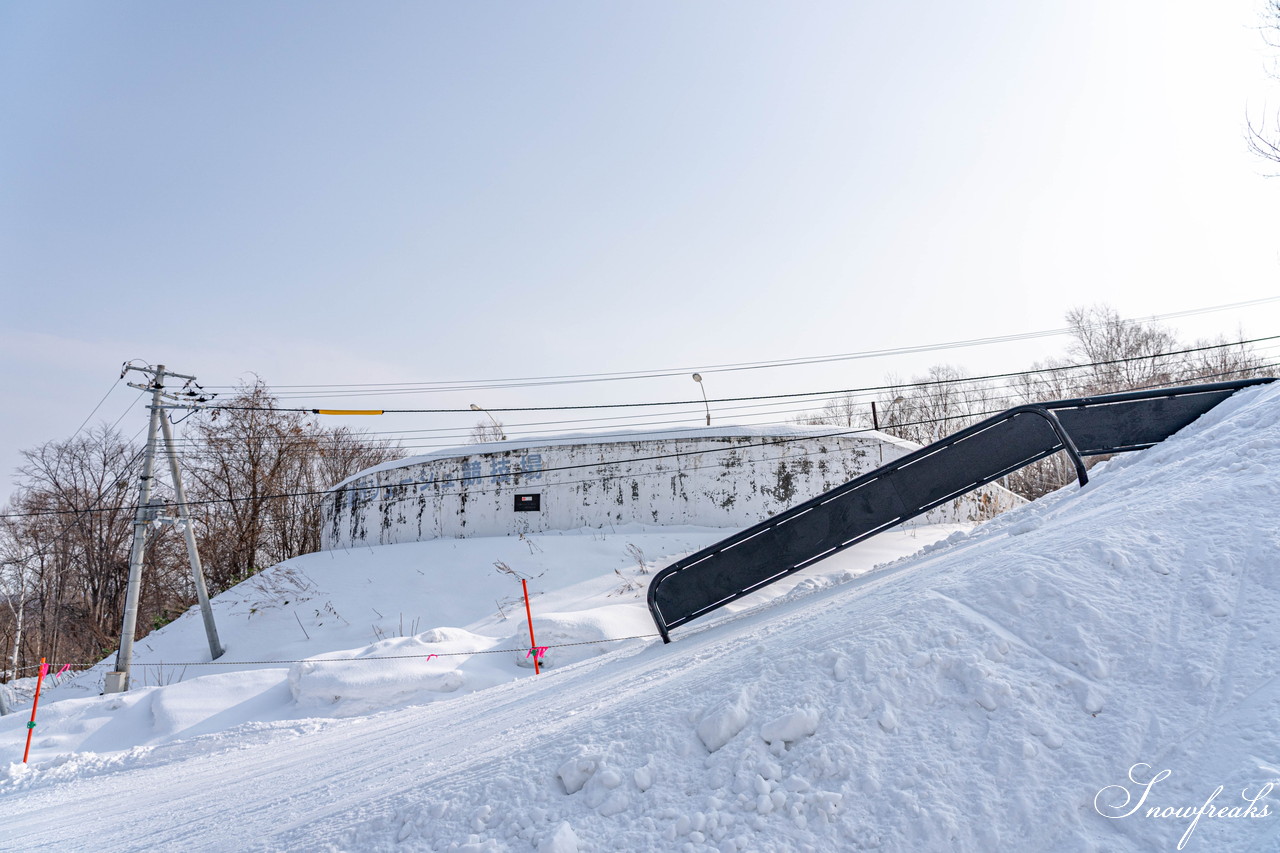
1020	688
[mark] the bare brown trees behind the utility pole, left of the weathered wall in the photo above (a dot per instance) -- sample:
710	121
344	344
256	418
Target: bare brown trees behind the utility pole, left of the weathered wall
63	571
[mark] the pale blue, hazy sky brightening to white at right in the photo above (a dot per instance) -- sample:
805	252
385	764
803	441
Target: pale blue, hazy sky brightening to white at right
381	193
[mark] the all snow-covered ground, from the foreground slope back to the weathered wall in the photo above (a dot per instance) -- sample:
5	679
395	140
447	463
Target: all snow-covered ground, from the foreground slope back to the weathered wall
1094	672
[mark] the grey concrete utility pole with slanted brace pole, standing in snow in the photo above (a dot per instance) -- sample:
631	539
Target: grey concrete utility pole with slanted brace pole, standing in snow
144	517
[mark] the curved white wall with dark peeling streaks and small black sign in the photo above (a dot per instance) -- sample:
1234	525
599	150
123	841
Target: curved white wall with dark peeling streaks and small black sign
724	481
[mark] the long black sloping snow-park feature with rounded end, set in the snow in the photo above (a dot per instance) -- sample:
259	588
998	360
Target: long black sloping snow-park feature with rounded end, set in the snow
920	482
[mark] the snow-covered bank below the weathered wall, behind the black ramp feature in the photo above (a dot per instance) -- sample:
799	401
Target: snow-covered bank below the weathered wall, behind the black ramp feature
353	632
